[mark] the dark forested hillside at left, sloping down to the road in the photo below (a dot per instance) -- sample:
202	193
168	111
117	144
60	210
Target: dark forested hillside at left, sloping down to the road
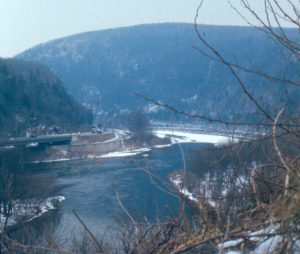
33	97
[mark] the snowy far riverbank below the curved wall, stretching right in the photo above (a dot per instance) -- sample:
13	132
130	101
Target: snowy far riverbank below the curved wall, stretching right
157	139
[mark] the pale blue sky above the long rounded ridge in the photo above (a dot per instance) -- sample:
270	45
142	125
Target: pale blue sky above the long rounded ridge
26	23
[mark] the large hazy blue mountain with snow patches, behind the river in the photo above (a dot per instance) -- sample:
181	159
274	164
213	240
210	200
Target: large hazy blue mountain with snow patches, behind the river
103	69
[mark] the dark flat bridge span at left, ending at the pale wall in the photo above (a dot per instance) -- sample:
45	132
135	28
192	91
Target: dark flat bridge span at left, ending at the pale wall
48	140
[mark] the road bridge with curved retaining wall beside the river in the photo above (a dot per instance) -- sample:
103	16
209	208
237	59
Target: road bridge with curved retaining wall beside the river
66	146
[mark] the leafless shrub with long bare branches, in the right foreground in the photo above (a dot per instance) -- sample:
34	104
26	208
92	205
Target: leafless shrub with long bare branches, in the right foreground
269	166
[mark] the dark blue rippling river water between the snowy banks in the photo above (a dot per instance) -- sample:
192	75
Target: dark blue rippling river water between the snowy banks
91	186
